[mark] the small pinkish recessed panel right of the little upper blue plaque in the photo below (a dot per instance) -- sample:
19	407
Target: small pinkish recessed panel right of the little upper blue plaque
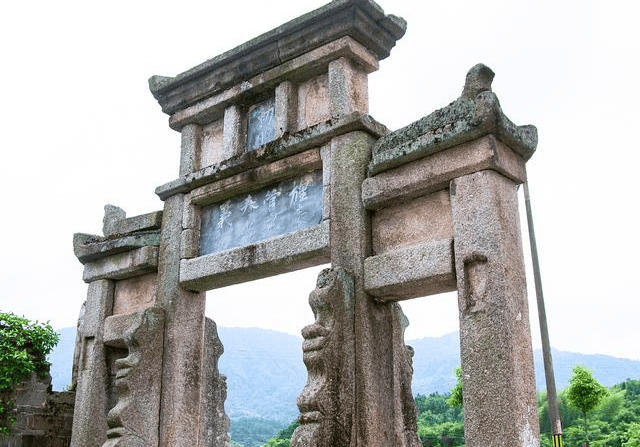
313	102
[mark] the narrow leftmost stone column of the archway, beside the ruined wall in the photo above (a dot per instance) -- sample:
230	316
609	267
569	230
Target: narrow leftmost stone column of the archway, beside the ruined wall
89	418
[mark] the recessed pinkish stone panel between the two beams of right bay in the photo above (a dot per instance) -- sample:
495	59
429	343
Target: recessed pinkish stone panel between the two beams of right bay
419	220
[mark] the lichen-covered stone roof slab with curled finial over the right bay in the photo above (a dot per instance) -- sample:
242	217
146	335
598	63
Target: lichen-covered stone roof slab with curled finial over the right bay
475	114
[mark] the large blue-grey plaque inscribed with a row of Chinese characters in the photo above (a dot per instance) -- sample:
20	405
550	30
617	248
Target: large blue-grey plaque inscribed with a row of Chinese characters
279	209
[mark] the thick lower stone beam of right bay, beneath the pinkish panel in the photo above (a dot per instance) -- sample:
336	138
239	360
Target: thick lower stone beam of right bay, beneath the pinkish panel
411	272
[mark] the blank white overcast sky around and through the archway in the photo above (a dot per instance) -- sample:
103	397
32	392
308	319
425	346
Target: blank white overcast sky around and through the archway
80	129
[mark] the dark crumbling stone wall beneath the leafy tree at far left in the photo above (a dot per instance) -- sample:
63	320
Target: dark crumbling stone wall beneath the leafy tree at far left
43	418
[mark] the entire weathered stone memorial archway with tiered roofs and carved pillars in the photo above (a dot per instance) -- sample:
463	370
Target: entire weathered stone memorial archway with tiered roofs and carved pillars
282	168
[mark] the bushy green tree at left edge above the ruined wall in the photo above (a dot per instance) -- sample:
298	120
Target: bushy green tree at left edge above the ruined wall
24	347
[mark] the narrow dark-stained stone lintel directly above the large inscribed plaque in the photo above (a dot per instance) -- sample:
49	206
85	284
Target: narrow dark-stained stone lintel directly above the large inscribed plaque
257	178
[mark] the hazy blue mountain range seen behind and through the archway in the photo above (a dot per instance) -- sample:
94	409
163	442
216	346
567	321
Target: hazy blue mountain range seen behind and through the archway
265	373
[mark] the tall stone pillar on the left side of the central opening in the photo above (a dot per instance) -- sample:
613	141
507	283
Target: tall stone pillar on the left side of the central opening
183	340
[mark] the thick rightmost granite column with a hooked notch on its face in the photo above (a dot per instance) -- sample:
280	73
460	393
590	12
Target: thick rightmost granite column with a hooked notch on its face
495	342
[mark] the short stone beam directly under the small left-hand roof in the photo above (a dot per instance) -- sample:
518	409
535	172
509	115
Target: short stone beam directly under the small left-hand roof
123	265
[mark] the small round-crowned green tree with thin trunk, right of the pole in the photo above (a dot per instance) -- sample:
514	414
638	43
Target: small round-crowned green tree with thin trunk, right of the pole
584	393
